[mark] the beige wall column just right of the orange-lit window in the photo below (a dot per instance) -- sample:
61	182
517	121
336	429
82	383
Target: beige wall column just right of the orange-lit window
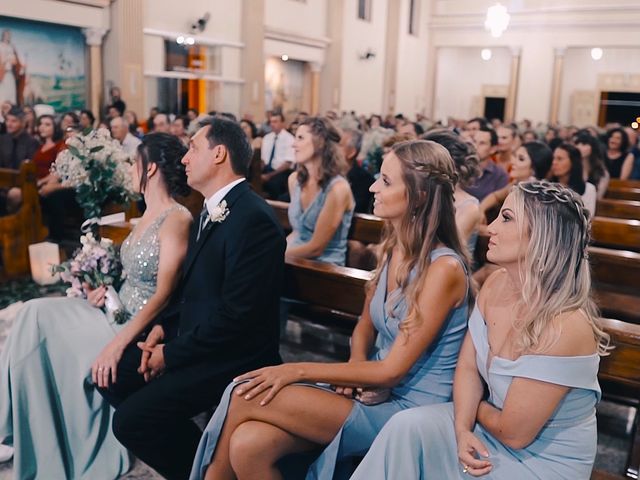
252	98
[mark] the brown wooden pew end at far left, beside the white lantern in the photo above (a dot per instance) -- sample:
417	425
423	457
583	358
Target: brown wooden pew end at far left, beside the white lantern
23	228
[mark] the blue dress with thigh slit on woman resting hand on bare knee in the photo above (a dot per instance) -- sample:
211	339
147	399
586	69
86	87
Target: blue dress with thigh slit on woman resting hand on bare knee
429	381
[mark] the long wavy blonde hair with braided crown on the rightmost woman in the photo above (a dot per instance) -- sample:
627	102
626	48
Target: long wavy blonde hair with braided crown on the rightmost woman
555	272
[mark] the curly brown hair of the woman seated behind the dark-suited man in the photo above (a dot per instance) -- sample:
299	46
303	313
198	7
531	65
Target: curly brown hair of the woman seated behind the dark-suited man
326	143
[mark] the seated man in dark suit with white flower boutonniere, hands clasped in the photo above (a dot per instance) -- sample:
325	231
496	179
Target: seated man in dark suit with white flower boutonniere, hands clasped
221	321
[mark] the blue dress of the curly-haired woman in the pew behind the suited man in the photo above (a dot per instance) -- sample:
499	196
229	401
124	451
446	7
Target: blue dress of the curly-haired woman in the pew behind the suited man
303	223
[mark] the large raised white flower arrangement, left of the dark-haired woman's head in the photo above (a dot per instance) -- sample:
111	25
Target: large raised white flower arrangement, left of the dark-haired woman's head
95	165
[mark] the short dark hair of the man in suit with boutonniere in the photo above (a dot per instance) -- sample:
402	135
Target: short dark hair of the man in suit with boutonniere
225	132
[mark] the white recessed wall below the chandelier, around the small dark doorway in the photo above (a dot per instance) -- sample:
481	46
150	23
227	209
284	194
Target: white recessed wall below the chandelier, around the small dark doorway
460	76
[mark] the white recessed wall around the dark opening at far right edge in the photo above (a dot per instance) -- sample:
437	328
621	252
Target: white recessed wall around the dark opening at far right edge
581	72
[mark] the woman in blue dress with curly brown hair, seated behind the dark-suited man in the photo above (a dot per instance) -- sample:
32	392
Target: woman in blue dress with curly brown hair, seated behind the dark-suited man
321	204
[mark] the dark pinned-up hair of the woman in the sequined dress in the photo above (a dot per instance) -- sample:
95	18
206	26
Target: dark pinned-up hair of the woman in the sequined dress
166	151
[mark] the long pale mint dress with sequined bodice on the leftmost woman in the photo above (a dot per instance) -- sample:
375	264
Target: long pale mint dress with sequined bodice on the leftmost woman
50	410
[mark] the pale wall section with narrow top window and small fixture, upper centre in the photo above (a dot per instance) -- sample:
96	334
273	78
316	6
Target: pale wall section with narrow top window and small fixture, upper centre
362	81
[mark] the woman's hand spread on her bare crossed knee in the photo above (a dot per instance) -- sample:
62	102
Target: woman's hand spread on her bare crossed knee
271	379
